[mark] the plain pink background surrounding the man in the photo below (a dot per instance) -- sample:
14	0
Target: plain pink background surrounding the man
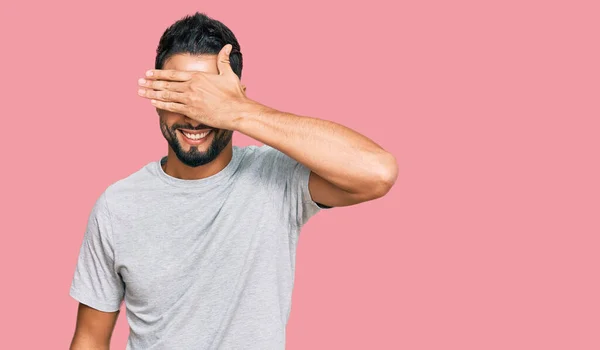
490	238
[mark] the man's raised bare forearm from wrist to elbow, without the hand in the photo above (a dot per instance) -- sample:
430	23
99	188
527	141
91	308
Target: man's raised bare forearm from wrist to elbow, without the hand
338	154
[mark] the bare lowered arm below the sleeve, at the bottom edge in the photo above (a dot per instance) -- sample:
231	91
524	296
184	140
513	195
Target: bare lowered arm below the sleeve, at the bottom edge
94	328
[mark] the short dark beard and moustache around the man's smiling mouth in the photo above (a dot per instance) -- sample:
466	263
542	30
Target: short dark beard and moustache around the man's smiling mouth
194	157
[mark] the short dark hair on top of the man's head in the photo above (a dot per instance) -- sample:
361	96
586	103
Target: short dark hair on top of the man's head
198	34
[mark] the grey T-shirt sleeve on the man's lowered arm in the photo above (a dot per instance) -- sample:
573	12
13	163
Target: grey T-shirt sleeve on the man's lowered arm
96	283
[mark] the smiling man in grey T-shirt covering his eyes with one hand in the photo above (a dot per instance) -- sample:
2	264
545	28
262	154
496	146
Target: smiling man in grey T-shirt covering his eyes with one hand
201	244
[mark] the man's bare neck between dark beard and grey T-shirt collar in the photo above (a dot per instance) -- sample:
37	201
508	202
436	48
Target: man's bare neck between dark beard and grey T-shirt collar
175	168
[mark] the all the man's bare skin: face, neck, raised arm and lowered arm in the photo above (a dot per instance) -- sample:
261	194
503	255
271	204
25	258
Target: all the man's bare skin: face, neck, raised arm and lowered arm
203	92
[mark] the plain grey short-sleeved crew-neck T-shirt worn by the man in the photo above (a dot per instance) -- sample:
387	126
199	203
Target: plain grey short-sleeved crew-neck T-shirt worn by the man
200	264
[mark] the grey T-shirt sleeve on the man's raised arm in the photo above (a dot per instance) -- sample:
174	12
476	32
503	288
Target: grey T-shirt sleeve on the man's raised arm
290	178
